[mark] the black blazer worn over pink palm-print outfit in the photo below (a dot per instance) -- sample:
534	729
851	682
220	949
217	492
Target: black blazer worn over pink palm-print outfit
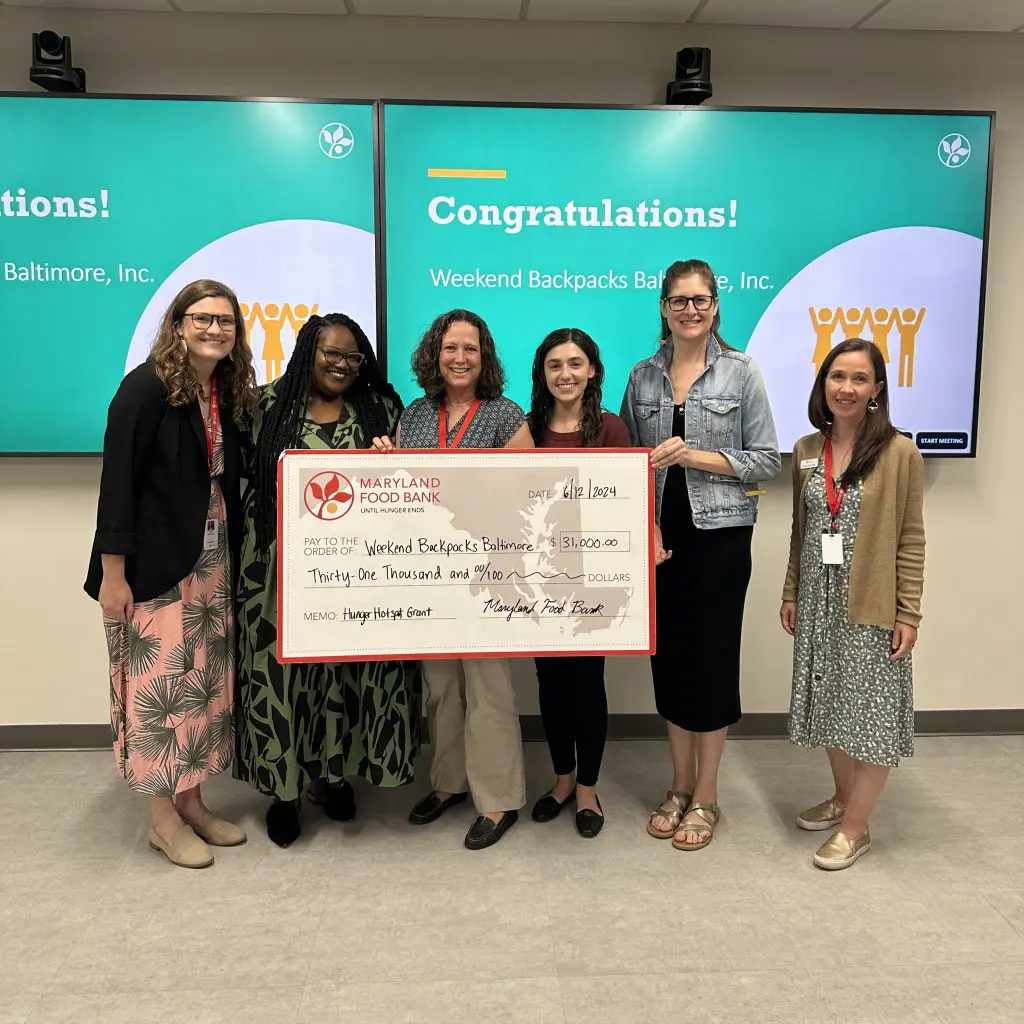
155	489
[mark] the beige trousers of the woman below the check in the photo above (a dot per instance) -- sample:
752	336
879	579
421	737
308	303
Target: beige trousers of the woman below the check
476	731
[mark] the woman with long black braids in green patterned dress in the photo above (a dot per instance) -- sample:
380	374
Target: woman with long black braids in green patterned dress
312	727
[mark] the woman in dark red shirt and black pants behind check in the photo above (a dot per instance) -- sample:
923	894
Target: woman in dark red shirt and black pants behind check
566	412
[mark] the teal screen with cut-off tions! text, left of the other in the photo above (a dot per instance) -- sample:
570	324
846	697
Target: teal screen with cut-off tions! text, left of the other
109	206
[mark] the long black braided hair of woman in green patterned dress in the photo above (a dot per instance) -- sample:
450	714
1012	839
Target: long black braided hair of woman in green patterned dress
282	426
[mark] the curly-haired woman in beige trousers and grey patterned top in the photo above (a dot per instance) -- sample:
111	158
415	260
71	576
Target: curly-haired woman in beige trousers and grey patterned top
471	702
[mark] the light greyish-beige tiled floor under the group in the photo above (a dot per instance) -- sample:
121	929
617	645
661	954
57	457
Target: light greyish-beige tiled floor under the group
379	922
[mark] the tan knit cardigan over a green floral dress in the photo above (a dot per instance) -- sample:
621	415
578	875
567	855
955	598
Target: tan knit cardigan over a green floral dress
887	570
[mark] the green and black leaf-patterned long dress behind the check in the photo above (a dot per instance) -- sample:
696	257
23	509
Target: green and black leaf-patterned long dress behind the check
301	722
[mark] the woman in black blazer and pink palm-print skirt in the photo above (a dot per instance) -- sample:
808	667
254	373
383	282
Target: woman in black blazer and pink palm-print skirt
167	531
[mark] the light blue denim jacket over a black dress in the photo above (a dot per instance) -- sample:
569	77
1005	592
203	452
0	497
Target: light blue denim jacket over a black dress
728	411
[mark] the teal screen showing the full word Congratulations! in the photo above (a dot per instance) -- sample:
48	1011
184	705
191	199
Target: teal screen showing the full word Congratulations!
820	227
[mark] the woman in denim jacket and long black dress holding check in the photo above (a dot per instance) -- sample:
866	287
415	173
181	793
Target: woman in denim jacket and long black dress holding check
703	408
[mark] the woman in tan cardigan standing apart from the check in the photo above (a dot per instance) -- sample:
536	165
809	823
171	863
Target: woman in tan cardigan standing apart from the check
852	595
